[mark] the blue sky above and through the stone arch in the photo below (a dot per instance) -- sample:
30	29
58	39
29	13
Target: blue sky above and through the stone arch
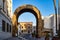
46	8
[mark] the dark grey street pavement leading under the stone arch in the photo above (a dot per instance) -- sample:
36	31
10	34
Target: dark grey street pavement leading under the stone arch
24	37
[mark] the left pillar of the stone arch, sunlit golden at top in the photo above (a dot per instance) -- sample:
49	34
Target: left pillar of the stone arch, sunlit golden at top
14	25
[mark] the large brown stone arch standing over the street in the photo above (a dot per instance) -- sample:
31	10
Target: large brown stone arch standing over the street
27	8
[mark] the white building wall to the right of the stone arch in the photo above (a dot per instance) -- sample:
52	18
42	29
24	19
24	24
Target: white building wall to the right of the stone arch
50	23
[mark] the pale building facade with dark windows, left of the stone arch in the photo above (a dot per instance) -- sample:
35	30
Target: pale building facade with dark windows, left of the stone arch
5	15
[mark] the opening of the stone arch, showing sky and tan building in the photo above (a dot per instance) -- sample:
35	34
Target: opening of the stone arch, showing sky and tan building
27	22
